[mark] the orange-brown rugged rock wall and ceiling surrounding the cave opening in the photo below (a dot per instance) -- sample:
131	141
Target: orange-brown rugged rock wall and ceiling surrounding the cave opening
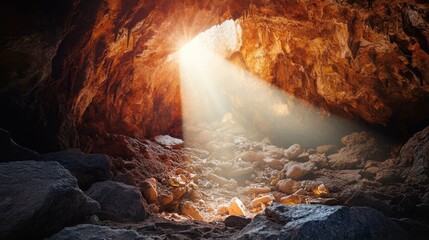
92	68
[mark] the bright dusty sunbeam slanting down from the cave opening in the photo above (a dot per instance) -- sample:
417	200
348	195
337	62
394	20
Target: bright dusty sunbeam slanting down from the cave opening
212	86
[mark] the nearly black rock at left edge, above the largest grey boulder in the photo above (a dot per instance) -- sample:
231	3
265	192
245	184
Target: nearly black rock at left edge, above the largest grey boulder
11	151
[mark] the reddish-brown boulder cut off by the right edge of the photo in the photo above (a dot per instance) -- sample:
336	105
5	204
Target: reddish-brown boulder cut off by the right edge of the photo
415	155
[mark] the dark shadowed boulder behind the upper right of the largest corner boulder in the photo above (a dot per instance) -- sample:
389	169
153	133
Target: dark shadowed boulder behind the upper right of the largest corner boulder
87	168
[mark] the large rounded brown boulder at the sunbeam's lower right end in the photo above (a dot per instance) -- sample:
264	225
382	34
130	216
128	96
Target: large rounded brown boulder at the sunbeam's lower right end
360	146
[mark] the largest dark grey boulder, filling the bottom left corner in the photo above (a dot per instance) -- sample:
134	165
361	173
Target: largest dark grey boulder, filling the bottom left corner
38	199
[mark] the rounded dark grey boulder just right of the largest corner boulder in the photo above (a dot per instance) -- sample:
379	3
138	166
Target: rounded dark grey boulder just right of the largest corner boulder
118	201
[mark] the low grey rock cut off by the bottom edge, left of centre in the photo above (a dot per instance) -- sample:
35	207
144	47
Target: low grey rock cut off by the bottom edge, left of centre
89	231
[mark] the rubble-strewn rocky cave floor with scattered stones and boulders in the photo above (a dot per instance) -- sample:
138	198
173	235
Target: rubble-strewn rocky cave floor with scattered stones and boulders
214	184
